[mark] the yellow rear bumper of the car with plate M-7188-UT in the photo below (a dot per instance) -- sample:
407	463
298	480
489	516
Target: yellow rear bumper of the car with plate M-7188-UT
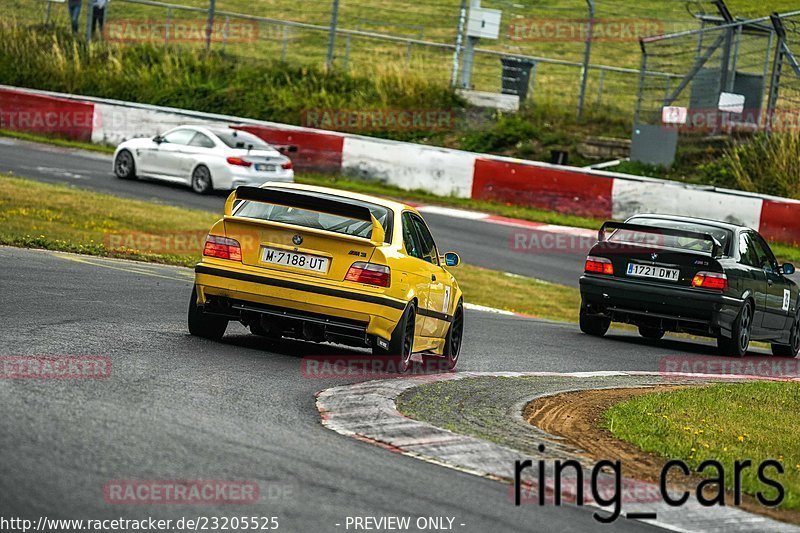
378	313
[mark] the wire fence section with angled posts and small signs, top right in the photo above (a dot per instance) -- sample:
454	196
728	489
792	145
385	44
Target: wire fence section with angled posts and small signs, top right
730	75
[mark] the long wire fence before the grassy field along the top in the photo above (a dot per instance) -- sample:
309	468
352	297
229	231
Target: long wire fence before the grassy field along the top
582	53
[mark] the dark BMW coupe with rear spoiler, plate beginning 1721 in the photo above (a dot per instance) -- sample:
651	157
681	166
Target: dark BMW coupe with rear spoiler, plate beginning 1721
670	273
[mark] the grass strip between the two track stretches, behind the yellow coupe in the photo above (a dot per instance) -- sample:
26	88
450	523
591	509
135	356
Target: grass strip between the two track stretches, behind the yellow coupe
56	217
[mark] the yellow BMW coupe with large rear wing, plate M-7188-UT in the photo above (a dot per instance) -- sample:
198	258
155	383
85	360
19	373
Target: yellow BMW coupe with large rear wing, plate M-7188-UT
327	265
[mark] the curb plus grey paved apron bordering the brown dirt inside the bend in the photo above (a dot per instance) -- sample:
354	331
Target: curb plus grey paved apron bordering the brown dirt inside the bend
489	441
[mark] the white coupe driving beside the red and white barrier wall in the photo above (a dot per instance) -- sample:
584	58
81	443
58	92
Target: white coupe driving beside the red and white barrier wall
203	157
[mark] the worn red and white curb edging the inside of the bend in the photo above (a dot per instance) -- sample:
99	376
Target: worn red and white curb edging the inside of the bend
367	411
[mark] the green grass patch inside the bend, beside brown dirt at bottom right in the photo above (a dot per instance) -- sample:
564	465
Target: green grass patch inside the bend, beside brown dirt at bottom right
726	422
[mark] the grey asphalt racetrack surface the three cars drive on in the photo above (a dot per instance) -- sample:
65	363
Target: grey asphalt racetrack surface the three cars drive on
180	407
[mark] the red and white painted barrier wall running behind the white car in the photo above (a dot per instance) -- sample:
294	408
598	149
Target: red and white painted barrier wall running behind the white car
411	166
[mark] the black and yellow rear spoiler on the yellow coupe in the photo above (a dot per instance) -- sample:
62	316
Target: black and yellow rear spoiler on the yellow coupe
299	200
